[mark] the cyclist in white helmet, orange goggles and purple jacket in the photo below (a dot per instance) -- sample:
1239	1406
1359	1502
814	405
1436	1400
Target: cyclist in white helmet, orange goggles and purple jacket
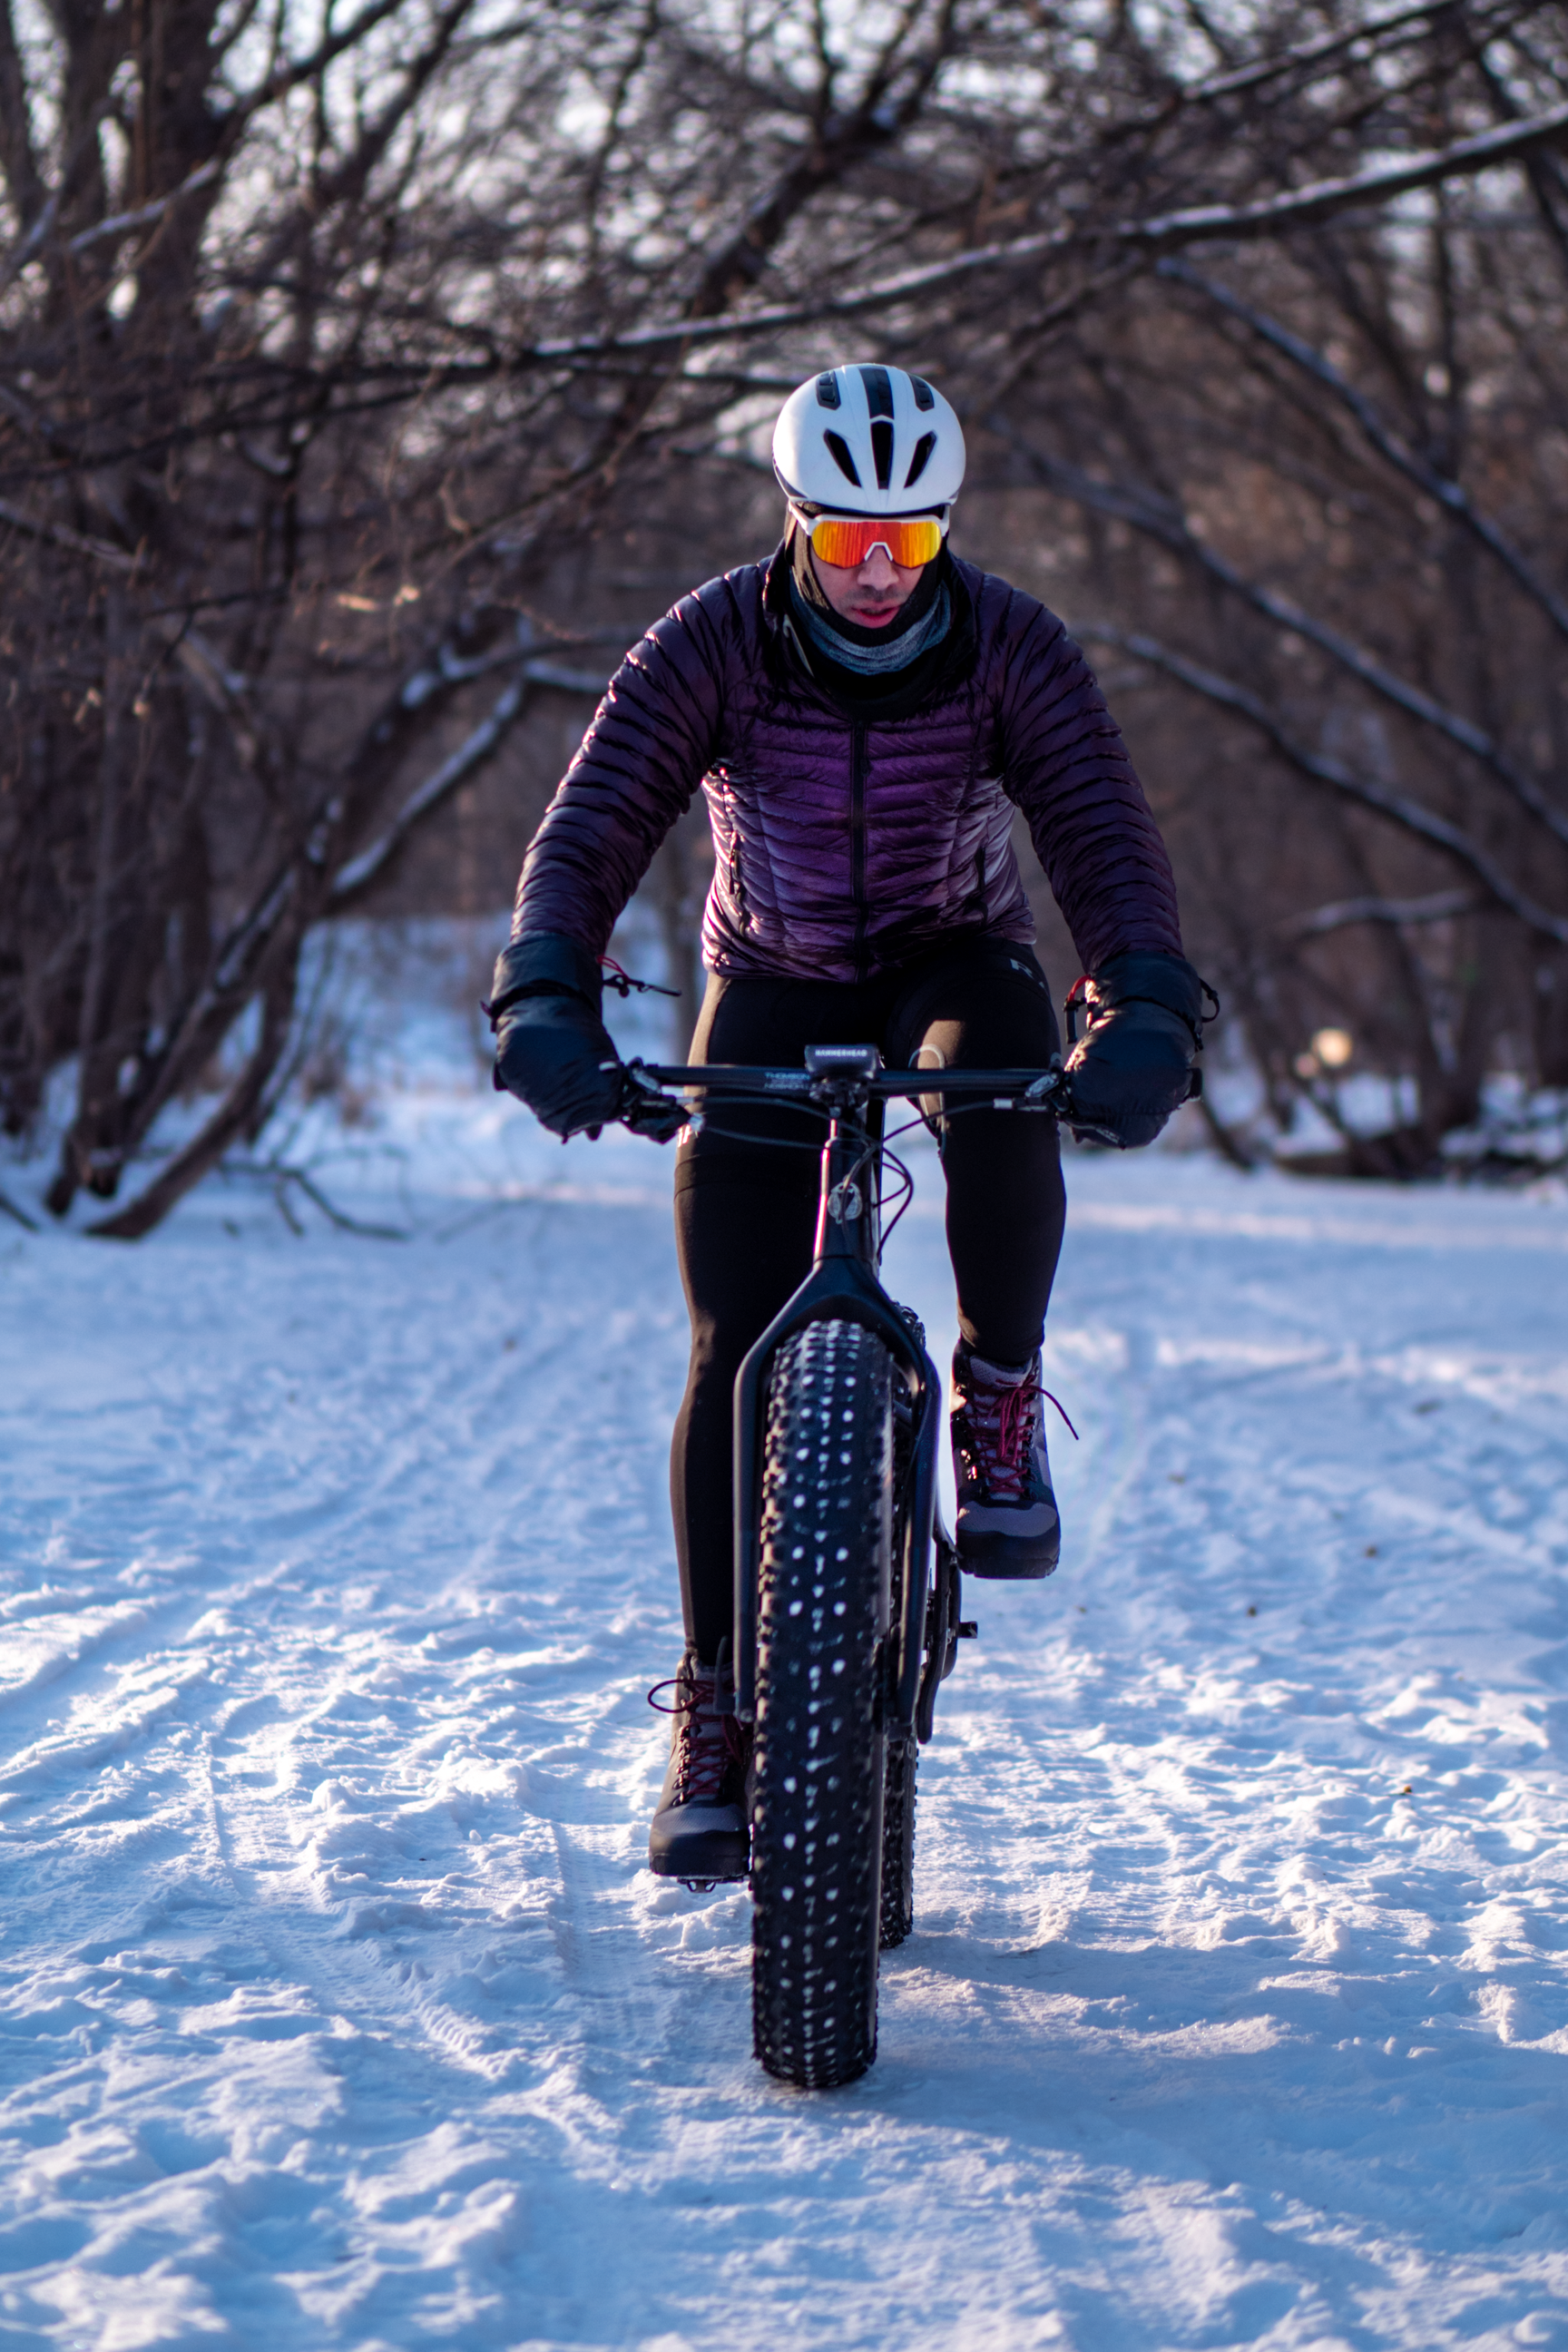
864	714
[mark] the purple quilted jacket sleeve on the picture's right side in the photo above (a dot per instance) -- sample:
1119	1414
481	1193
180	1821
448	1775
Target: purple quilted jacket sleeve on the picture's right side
1068	770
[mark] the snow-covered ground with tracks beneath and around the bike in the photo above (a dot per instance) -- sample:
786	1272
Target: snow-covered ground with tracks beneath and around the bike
337	2007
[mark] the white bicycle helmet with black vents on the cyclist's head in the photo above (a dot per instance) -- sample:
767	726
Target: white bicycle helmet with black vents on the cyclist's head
869	441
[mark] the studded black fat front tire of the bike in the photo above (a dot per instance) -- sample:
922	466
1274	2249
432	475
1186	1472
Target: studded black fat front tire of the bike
819	1756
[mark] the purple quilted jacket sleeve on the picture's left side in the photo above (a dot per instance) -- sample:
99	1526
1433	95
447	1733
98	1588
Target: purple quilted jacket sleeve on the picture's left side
650	744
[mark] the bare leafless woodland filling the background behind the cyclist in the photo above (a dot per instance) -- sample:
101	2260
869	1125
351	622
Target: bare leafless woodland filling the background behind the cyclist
347	359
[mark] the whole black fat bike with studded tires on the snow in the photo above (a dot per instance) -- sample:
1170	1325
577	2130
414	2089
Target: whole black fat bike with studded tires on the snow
847	1582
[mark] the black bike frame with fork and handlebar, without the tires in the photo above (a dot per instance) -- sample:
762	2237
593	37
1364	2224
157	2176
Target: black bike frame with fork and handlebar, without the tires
845	1285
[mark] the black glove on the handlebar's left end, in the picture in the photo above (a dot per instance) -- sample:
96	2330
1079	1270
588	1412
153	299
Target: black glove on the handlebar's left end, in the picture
551	1043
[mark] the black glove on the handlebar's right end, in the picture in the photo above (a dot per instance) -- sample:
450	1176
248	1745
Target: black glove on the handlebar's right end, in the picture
1137	1062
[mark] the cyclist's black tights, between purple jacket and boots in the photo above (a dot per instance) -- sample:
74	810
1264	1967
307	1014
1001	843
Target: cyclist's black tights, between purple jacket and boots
746	1210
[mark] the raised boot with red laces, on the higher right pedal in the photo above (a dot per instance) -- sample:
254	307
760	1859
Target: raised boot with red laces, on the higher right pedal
1007	1521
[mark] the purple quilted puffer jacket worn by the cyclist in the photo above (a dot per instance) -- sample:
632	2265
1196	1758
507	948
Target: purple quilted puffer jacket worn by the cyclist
845	846
